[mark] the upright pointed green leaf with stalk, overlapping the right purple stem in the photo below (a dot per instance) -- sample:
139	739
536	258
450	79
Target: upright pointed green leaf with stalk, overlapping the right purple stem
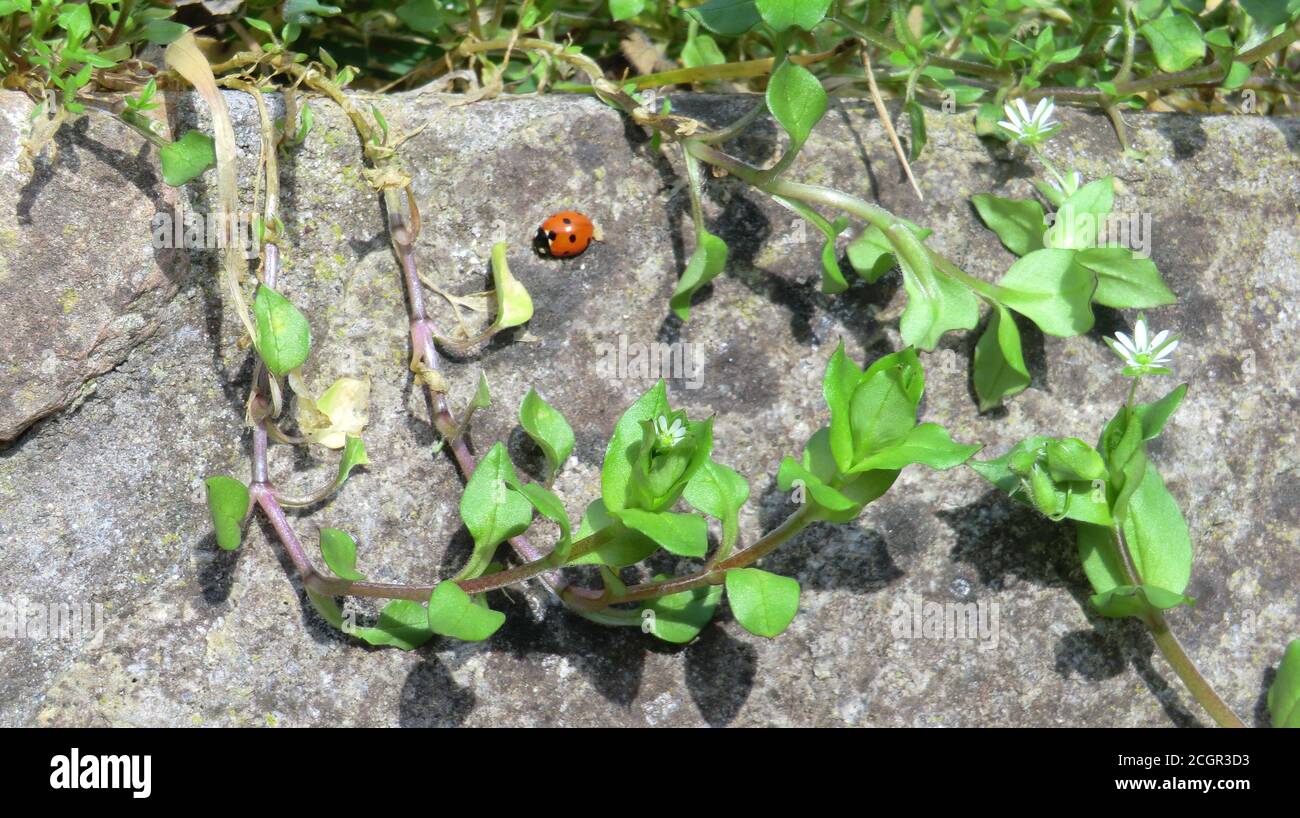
492	510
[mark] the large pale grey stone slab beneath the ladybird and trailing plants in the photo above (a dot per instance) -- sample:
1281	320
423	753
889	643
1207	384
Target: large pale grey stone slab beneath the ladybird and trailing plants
105	504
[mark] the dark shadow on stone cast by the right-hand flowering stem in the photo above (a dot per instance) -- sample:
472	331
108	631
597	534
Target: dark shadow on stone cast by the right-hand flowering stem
1008	544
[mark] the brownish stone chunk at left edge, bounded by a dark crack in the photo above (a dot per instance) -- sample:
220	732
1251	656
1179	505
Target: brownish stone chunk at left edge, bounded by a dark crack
80	285
